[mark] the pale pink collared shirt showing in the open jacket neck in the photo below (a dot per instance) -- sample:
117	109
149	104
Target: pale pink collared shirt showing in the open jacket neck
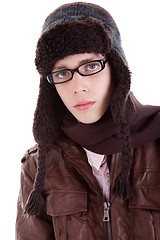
100	170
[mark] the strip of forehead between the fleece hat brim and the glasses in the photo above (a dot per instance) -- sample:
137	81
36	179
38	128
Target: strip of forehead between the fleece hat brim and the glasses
75	60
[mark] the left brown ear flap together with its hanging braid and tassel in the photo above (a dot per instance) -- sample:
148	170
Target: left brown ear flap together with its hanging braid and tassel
46	127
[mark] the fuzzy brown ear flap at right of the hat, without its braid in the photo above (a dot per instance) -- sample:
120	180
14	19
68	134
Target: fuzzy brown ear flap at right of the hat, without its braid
122	106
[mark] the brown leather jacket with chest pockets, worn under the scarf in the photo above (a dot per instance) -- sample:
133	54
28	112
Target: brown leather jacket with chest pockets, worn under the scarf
73	206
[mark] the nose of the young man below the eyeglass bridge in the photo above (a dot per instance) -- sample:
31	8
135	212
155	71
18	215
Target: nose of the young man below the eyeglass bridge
79	83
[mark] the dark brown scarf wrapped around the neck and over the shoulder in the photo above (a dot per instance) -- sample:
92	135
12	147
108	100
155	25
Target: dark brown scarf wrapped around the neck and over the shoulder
103	136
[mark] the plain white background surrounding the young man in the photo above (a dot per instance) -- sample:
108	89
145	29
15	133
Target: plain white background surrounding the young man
21	22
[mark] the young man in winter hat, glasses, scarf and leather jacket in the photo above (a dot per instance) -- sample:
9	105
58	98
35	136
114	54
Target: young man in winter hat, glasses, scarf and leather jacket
95	170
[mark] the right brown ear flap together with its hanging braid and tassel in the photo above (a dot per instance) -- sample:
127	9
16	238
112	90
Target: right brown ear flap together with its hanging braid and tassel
123	112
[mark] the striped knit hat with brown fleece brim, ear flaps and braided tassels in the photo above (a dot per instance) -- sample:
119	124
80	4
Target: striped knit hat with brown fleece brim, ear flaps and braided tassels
71	29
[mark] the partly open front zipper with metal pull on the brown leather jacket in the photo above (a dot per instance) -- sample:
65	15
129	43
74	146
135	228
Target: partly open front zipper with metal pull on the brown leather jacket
106	204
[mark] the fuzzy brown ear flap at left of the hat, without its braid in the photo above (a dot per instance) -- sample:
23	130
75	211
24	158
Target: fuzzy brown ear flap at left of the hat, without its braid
48	114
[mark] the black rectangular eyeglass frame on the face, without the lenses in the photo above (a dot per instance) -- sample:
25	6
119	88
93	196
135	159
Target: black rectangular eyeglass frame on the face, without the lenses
50	76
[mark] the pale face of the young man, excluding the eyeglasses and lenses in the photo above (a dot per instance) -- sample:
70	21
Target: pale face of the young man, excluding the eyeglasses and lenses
86	97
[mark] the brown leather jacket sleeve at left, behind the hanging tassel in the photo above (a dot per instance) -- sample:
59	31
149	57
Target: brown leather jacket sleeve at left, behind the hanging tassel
31	227
